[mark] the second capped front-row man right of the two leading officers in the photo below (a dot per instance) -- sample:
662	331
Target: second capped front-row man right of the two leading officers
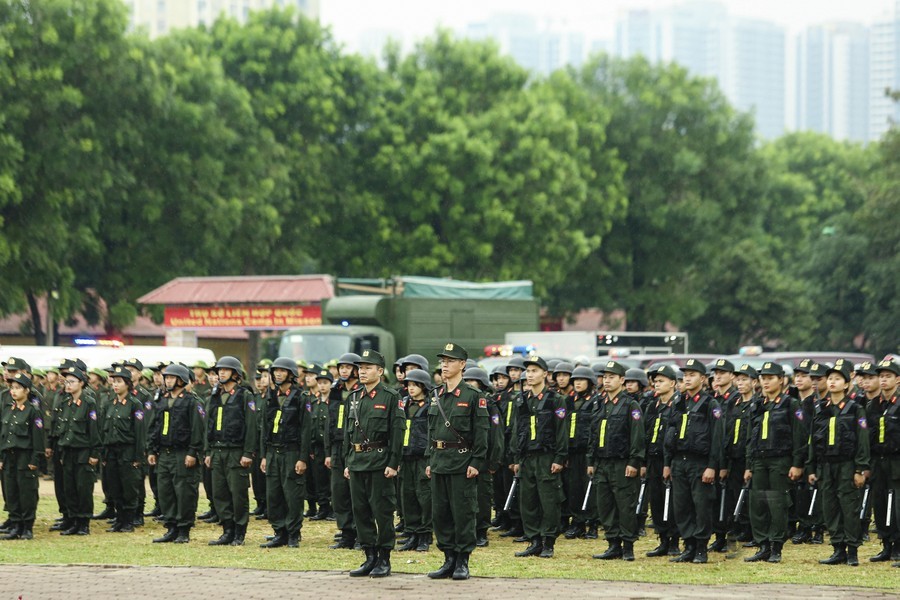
617	455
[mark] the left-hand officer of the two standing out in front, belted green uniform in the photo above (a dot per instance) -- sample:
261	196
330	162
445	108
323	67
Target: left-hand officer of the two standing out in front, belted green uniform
373	441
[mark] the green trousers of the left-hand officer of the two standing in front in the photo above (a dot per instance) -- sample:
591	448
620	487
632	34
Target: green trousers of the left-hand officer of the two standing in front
374	499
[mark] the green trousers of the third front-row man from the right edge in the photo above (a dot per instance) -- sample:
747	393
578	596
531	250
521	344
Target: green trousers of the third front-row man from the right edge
770	499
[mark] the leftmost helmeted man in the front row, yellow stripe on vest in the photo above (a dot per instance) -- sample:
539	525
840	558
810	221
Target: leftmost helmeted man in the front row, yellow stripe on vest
176	447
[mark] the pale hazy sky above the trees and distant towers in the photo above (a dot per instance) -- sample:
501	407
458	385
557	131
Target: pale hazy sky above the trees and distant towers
349	19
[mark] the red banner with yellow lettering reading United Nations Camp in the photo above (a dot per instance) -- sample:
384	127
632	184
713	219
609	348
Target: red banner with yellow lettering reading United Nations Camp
243	317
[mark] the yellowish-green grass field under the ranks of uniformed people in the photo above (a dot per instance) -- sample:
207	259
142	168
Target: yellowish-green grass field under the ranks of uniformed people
572	560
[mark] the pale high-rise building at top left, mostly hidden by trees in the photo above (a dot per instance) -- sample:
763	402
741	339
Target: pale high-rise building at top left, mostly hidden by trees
158	17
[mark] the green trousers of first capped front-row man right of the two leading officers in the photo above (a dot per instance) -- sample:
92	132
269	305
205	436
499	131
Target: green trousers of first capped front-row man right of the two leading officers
540	496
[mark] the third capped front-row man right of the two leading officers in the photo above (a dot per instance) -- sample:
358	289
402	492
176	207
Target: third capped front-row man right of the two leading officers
693	455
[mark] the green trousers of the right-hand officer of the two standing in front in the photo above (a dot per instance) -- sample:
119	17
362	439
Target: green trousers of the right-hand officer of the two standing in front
454	511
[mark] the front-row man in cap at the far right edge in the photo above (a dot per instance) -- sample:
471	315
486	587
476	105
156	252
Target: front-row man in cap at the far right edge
883	417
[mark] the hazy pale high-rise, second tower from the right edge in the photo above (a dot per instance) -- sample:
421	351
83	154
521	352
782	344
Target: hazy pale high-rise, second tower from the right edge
833	80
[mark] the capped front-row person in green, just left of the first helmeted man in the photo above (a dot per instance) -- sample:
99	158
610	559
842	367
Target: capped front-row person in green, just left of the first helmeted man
124	447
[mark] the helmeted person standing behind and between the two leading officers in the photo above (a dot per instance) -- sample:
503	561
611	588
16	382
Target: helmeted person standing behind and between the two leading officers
415	488
